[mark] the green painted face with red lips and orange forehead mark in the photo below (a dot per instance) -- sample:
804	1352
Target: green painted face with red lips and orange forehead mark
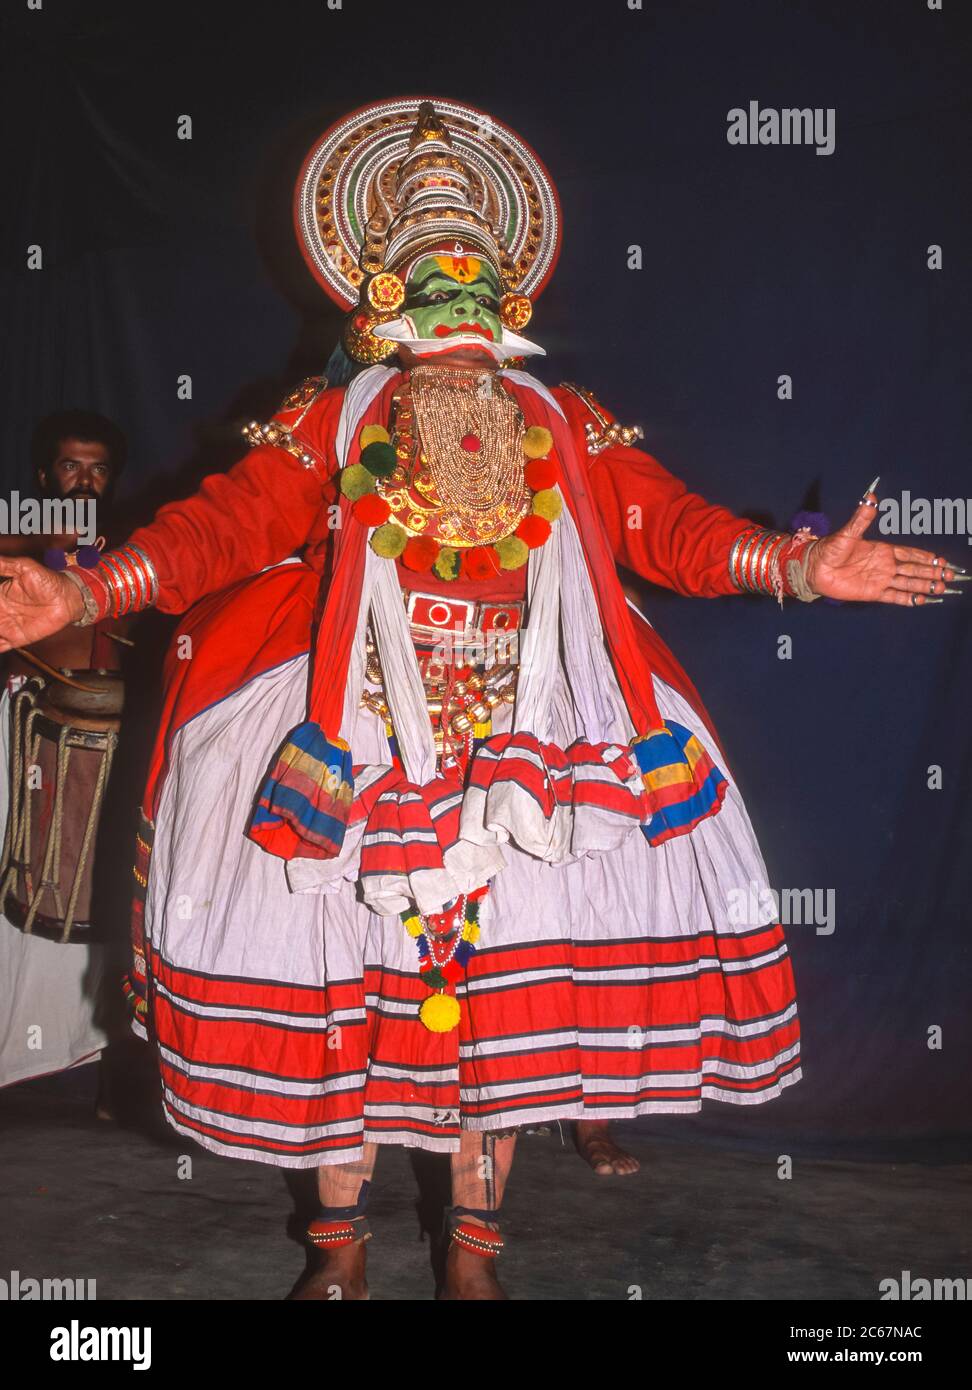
450	294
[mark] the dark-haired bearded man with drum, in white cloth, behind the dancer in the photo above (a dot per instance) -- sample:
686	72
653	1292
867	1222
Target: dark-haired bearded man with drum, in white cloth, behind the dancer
51	997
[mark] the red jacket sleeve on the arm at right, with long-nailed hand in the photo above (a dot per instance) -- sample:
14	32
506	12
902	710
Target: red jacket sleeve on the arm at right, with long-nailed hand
657	528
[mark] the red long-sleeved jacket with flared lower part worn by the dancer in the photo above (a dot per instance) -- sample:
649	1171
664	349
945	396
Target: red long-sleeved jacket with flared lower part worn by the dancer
273	504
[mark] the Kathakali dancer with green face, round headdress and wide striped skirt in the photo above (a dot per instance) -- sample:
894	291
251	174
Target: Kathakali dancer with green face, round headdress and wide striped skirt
439	840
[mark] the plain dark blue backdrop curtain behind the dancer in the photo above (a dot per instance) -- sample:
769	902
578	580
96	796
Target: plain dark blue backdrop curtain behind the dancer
165	258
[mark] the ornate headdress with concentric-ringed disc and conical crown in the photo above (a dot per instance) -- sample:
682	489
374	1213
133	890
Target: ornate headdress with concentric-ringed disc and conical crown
400	177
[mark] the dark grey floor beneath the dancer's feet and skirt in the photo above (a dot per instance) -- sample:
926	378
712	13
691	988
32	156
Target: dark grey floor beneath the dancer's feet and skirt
88	1199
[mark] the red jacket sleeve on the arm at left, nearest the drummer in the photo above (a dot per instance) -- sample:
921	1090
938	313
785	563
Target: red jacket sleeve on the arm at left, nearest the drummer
252	516
